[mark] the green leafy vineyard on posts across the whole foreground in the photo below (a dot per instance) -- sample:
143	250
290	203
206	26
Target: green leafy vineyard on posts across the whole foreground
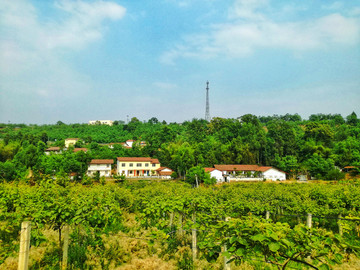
174	226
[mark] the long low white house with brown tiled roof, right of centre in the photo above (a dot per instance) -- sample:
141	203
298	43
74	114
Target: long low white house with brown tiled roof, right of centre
239	172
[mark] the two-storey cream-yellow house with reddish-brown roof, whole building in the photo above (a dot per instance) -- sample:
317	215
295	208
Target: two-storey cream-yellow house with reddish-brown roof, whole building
137	166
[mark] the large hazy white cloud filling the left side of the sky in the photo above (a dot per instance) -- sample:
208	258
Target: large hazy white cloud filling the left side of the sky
33	71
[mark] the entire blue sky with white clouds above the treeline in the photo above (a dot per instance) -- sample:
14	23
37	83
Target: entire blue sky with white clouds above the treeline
80	60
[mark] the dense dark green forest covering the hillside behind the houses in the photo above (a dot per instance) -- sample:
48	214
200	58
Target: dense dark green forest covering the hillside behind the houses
318	147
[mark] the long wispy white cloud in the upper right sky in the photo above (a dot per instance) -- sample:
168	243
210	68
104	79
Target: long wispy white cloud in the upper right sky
249	29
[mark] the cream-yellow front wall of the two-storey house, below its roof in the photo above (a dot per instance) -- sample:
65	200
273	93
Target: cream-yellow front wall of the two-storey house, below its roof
136	168
